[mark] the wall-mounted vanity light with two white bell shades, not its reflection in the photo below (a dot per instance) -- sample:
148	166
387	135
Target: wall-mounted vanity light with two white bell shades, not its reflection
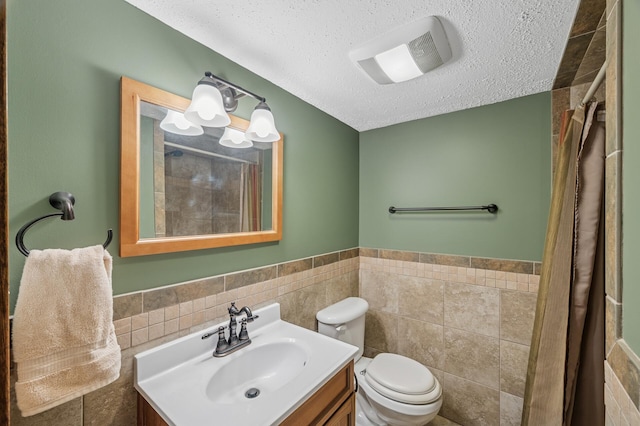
213	97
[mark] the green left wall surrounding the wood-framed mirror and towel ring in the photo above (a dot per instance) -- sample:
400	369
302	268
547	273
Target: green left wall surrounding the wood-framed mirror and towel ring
65	59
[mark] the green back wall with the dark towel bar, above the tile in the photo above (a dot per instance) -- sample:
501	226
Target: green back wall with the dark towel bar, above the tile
493	154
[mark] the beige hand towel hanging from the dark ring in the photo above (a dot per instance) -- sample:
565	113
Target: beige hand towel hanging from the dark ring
64	341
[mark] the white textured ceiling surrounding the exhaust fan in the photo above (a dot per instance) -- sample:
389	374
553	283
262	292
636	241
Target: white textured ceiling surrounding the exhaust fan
501	50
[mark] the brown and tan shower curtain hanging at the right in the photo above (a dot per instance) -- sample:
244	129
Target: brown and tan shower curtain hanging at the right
565	375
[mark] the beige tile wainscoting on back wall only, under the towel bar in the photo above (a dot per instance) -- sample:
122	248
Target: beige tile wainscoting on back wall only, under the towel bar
468	319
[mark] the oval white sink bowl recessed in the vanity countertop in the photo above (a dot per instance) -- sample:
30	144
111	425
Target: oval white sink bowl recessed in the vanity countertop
258	371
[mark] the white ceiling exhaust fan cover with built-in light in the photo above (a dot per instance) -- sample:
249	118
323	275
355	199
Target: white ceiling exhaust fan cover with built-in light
404	53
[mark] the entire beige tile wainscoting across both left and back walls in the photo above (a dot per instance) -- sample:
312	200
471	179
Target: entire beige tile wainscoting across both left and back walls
469	319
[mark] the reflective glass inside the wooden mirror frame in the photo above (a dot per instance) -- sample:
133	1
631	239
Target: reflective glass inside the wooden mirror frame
199	186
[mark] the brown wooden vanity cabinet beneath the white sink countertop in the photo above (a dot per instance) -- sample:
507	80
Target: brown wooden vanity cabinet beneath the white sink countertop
334	404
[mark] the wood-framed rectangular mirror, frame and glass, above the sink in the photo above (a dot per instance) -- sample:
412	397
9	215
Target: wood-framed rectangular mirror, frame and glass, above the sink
189	192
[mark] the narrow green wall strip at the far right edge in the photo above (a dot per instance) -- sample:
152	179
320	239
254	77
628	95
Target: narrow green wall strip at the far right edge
631	174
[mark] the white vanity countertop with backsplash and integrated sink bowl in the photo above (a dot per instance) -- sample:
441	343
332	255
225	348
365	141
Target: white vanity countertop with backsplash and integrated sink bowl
260	384
